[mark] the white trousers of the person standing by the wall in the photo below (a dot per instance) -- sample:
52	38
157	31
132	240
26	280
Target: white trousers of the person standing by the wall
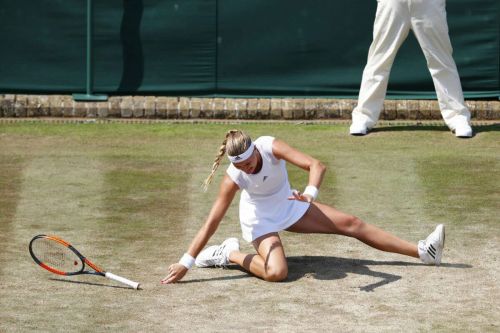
393	21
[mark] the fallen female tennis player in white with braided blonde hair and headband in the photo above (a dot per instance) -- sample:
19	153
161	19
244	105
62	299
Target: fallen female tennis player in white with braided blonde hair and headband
268	205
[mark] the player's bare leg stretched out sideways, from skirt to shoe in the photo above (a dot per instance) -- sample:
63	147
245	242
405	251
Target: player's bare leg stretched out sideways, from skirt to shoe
327	220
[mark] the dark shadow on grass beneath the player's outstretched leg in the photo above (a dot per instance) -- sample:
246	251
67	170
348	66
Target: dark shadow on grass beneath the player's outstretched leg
332	268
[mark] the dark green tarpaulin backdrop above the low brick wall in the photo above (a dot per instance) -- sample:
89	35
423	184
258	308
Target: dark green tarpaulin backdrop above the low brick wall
230	47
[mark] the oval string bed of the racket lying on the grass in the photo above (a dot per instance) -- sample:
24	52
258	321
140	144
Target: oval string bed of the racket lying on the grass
56	255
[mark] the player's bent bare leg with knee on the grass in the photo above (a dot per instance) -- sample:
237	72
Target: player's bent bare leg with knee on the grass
269	263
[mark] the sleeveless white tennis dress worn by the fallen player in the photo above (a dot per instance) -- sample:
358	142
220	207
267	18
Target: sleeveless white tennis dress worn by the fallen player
264	204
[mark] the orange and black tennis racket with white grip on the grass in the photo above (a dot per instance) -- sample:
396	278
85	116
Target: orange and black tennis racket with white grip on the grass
60	257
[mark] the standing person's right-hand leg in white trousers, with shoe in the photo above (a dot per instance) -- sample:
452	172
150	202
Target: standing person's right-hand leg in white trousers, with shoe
431	30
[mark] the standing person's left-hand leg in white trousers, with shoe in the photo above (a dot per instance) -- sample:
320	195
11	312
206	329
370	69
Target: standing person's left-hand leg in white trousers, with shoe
391	27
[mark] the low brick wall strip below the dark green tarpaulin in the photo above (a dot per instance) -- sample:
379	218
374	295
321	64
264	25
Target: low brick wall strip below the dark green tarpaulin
151	107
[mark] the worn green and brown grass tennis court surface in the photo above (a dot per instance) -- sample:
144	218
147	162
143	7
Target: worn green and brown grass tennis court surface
130	196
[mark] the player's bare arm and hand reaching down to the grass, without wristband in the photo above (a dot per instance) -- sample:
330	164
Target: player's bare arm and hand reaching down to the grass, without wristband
226	195
